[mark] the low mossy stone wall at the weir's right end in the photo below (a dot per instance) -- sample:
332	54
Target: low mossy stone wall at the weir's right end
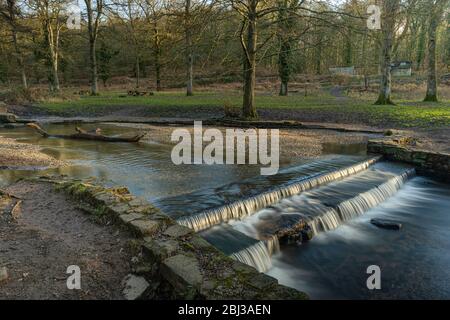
429	163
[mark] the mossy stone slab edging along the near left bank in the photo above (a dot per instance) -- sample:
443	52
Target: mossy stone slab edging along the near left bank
177	262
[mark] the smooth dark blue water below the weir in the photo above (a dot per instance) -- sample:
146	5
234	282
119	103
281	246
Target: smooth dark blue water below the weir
414	262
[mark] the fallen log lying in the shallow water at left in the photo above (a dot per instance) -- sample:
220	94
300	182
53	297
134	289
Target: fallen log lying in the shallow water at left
84	135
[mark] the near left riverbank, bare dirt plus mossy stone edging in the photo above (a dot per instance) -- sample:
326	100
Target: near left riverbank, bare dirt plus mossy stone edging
118	241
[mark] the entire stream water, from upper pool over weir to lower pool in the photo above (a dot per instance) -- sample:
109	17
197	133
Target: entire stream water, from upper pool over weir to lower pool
239	211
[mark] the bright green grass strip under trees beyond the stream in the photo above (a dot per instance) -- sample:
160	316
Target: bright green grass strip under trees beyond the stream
406	113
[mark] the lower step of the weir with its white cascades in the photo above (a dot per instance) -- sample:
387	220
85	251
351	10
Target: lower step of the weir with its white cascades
319	216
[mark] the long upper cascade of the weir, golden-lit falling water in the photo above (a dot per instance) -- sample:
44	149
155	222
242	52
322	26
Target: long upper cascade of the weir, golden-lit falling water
243	208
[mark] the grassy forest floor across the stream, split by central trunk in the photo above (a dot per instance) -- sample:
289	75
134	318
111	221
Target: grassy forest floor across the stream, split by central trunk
355	108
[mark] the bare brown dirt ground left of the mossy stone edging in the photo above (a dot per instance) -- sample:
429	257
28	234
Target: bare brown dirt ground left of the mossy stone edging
48	235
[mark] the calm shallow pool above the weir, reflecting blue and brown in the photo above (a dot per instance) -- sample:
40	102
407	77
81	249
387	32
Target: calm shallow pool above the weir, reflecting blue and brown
145	168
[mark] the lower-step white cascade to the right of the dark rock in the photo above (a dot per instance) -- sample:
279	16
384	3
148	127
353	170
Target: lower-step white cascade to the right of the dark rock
358	205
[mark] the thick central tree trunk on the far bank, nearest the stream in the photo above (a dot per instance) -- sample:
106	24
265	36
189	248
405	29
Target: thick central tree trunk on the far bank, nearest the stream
248	107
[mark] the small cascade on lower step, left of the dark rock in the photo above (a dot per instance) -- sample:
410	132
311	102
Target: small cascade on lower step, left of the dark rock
259	254
